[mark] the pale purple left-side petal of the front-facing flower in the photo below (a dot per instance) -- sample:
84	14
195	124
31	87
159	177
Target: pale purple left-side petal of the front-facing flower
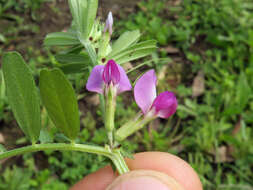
95	80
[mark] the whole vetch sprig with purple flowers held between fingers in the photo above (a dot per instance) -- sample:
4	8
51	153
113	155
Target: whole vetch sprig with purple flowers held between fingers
87	47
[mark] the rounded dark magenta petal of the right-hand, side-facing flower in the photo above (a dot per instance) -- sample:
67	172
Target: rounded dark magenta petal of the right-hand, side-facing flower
165	104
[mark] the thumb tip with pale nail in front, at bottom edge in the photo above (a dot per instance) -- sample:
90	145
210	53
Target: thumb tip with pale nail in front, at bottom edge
144	180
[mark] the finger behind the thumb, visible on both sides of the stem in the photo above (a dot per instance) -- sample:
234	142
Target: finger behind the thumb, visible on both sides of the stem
165	163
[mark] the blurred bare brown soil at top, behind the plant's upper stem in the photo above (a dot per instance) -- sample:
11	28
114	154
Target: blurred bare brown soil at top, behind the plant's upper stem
49	18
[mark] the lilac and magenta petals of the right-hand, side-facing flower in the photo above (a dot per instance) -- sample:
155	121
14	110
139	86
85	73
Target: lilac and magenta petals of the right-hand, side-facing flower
164	105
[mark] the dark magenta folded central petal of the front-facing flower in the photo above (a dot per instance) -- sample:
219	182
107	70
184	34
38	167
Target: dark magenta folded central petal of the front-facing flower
111	73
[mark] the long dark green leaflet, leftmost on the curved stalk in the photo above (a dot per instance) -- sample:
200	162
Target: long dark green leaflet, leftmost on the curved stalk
22	94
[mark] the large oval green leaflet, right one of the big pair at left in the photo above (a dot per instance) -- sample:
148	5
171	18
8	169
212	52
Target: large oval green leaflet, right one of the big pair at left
60	100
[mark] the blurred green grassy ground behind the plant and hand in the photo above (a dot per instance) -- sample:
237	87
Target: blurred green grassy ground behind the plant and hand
210	46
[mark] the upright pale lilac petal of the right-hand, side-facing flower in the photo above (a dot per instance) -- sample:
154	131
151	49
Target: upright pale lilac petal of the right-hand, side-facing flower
145	90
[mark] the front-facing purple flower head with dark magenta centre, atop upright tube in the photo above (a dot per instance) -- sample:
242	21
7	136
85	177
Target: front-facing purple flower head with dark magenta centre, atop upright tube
102	76
